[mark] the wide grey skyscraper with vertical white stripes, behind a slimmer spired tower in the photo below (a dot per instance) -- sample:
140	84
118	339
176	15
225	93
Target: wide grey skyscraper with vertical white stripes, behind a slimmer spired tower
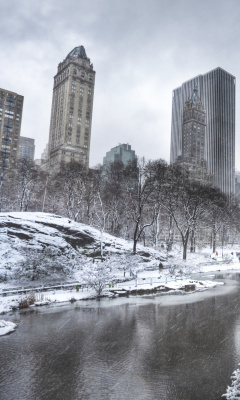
217	92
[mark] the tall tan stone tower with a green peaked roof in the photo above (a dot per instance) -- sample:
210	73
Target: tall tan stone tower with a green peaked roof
71	115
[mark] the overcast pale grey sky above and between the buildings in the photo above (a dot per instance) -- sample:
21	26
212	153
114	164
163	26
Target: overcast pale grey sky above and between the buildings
140	49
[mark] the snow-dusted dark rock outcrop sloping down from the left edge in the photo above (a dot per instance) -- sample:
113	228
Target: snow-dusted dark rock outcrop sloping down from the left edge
40	232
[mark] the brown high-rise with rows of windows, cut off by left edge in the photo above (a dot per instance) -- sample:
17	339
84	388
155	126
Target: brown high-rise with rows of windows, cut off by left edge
11	106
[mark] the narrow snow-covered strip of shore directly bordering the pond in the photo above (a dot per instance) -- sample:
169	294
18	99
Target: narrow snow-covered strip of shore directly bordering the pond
11	302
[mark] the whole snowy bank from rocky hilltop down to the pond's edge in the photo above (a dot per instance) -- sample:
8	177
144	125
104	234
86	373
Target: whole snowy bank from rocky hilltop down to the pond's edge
39	250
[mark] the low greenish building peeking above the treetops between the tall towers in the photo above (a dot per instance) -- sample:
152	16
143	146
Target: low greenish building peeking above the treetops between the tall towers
121	153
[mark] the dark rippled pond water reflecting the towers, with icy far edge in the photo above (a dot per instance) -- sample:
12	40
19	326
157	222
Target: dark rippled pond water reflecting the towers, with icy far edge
172	347
